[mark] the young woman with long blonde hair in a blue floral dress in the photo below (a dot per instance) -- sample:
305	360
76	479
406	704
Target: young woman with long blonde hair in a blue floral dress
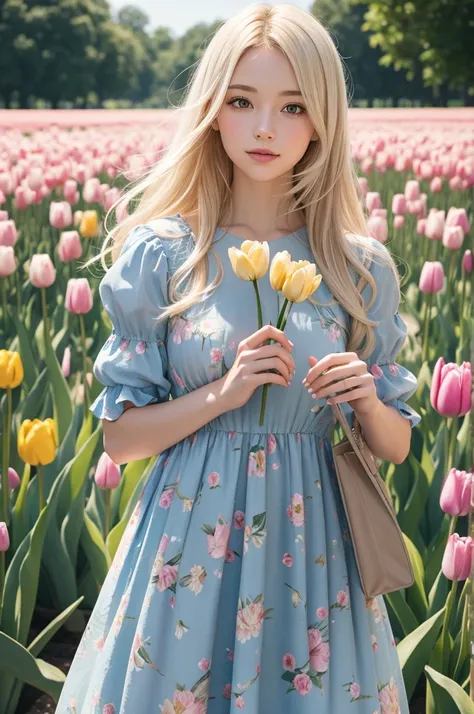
235	584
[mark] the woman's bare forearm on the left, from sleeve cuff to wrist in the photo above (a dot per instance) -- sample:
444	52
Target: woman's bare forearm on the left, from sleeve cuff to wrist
141	432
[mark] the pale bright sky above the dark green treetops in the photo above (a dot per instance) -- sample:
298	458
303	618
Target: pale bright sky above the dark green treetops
179	15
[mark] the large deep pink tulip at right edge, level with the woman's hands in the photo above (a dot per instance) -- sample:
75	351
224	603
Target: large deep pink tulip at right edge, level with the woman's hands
450	392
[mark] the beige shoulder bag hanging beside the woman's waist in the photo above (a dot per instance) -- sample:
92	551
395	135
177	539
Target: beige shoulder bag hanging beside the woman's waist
380	551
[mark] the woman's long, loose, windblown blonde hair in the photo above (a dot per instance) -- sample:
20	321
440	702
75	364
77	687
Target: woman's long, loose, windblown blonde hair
194	175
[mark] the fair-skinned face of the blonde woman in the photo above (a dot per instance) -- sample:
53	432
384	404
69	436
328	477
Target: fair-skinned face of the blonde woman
266	112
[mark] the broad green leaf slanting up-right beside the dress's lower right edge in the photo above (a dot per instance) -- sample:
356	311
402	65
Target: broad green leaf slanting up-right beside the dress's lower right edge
415	649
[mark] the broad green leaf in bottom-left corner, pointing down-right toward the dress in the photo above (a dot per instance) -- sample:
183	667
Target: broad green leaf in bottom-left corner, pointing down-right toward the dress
19	663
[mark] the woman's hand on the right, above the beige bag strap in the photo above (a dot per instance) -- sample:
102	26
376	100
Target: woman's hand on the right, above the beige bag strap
345	376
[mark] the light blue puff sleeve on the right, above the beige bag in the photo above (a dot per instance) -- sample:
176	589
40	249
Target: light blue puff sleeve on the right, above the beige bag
394	383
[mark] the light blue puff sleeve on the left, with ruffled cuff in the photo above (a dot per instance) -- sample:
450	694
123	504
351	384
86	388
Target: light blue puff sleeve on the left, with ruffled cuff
132	364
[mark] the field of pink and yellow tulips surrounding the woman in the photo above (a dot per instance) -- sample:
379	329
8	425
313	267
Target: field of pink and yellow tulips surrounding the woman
64	505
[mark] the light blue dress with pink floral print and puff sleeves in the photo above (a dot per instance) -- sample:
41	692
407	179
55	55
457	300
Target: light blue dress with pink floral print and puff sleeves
235	585
